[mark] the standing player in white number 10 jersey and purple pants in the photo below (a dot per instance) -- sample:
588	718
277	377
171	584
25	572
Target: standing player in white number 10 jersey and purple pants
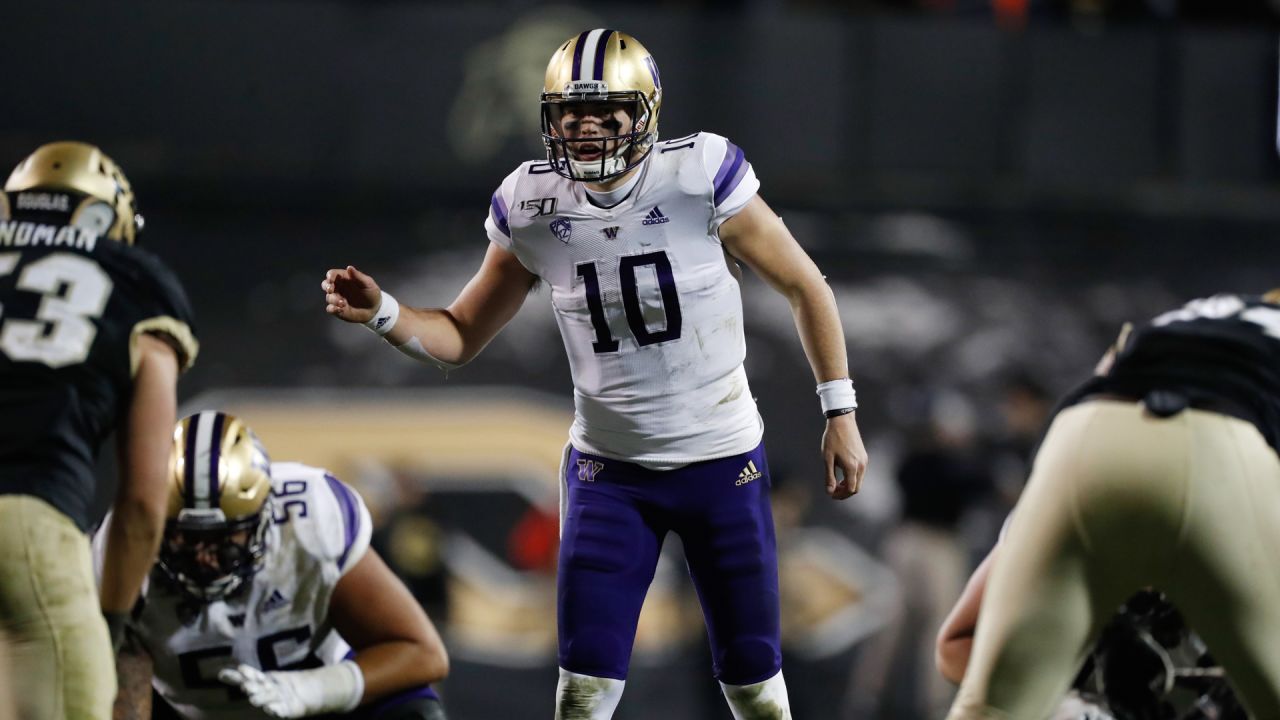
641	241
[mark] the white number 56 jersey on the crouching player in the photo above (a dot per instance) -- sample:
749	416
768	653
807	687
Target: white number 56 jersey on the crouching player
280	621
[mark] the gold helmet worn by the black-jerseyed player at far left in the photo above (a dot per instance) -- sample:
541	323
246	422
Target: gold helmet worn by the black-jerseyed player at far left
106	204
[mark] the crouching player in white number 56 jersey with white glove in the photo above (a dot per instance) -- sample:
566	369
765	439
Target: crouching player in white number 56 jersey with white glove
267	599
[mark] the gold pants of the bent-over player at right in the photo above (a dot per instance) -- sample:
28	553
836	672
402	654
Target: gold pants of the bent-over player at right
1121	500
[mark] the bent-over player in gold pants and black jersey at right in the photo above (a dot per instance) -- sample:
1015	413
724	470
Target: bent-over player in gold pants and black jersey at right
1162	472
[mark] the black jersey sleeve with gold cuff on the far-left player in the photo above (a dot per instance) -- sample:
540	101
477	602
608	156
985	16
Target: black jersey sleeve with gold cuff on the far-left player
162	304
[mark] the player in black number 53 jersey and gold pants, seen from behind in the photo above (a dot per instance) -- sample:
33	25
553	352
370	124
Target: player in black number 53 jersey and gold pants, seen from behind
94	334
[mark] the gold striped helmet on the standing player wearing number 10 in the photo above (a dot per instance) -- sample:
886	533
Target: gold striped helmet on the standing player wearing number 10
601	67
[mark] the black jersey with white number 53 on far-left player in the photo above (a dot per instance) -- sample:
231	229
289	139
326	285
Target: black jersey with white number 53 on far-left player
72	306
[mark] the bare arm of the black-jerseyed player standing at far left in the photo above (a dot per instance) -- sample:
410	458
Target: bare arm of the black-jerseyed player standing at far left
139	513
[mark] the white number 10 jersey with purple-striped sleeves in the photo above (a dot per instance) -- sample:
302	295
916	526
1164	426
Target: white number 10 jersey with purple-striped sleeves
646	298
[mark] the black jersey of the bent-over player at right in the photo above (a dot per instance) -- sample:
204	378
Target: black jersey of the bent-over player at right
1219	353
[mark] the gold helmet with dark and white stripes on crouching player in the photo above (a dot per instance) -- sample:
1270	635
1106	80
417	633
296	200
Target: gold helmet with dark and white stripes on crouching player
220	507
